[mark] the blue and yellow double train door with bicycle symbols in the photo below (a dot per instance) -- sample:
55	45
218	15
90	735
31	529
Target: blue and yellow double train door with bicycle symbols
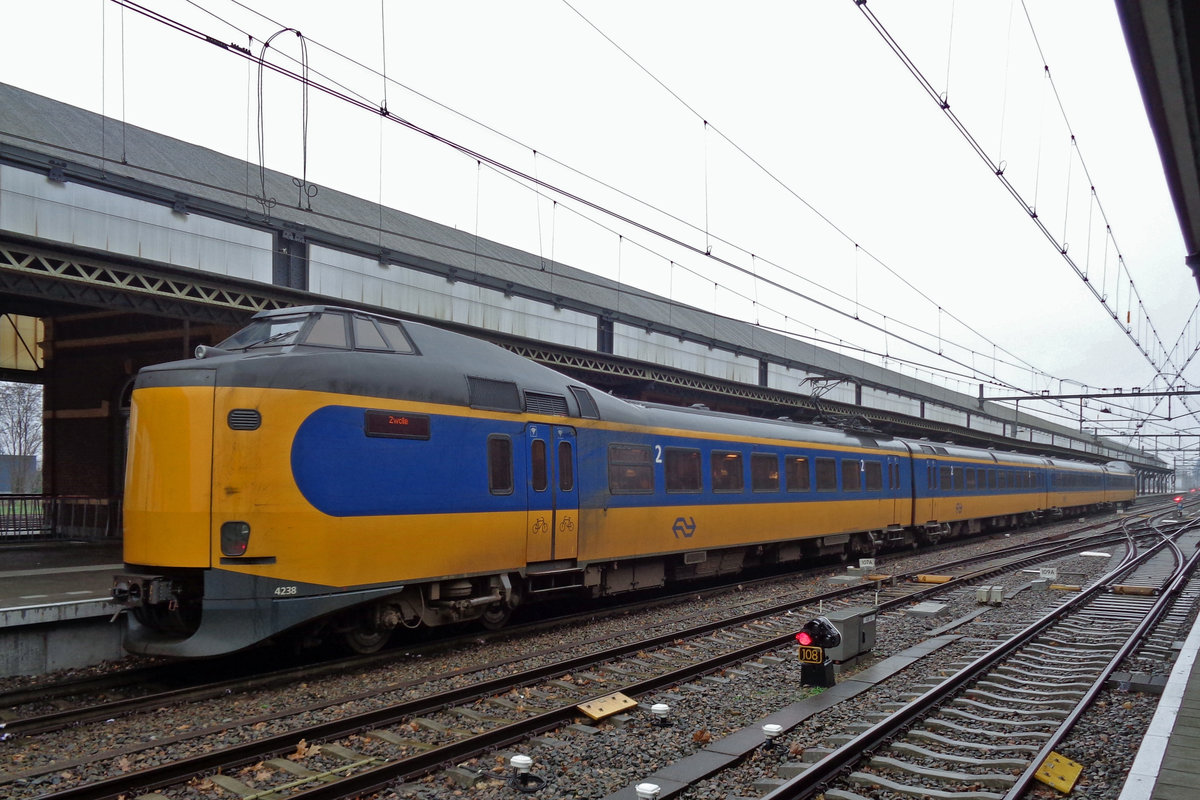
554	518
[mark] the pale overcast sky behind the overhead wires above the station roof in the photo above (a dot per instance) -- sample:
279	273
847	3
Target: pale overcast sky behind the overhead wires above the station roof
784	136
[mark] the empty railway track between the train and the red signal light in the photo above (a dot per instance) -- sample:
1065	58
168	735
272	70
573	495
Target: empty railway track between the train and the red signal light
412	738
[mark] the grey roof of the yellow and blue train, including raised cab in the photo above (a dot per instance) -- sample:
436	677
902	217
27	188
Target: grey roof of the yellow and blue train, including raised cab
430	364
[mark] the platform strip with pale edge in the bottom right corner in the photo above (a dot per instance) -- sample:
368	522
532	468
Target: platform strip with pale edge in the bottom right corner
1168	762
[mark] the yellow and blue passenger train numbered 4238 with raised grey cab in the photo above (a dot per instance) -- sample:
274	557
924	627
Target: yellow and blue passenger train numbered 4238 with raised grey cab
337	473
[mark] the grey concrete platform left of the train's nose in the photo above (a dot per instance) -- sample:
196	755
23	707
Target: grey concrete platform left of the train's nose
55	610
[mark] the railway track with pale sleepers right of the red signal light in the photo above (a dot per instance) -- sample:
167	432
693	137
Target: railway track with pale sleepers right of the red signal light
986	732
